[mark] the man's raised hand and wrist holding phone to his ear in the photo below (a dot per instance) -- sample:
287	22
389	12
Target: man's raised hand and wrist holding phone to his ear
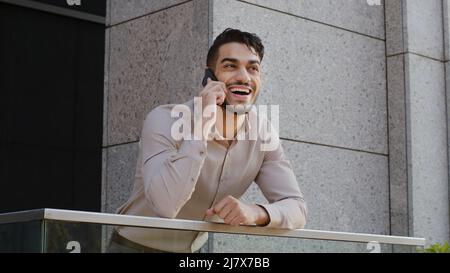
213	94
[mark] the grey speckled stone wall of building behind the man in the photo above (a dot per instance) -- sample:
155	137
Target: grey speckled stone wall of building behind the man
361	87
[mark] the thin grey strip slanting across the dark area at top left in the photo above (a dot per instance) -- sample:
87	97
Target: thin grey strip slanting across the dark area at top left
57	10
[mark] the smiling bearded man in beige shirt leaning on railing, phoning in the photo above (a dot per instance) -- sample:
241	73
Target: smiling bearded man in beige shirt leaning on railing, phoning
204	179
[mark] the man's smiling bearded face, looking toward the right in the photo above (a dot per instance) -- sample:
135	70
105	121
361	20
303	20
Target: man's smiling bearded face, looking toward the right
240	69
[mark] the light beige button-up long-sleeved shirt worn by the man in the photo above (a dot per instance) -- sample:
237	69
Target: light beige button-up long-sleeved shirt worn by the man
182	179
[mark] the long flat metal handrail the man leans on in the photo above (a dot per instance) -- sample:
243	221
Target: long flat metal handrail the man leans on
192	225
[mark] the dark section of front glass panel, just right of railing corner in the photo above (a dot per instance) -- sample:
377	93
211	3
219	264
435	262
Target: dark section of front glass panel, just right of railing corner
72	237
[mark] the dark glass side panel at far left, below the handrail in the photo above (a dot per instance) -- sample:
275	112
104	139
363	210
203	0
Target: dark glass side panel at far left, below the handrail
24	237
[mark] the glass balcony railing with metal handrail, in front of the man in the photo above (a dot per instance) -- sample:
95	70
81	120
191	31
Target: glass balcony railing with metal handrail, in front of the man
65	231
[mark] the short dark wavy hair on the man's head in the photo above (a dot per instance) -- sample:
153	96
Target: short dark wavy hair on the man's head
230	35
